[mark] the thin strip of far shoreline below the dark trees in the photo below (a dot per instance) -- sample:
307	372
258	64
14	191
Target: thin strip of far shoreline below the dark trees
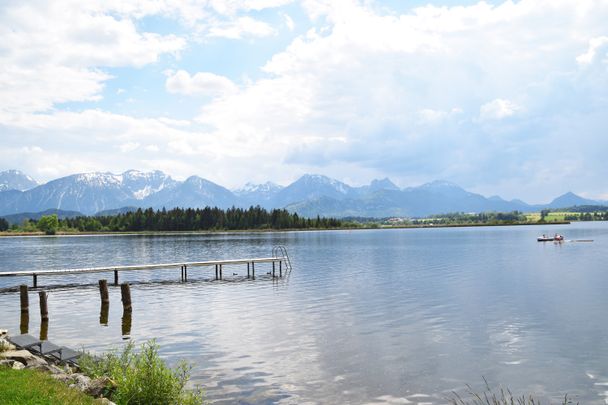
240	231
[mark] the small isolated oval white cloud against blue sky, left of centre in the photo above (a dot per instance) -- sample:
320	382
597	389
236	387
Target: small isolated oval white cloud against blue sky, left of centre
201	83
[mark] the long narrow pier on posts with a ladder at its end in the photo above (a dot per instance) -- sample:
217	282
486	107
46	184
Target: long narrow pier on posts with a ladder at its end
279	256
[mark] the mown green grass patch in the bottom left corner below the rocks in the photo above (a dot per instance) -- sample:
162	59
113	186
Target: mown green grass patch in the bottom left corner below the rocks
25	387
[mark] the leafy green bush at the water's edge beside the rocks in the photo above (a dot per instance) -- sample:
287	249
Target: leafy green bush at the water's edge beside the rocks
142	377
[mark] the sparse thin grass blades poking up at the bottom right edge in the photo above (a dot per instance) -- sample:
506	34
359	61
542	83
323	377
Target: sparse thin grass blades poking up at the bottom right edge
501	397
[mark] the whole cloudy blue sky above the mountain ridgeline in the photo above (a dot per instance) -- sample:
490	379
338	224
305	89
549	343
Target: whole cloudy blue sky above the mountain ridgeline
504	98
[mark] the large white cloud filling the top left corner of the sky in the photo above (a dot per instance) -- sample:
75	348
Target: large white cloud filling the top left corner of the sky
52	52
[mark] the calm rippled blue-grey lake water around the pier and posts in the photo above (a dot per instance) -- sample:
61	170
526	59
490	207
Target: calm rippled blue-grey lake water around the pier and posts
378	316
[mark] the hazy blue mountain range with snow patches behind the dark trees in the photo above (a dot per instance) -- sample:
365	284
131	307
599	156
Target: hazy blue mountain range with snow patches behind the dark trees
310	195
